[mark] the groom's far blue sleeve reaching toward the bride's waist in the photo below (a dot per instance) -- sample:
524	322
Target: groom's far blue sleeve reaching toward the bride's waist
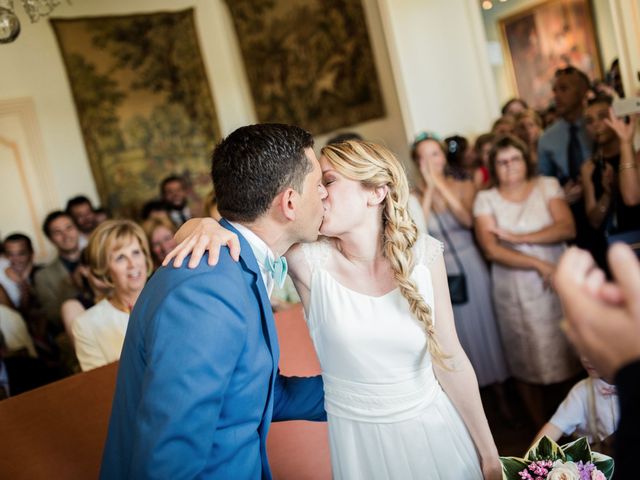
299	398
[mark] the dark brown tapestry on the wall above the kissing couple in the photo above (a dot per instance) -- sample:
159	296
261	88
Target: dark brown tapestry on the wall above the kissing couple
309	62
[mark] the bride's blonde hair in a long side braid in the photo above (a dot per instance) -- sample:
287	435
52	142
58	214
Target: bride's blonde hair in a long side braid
374	166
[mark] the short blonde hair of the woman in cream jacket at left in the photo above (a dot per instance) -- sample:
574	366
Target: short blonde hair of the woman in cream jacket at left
112	235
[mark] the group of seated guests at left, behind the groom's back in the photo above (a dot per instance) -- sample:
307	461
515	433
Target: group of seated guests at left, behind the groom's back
72	313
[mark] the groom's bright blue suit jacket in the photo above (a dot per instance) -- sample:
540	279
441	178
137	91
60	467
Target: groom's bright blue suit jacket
198	384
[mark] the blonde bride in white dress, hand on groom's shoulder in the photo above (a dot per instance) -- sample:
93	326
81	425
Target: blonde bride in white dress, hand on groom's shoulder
401	397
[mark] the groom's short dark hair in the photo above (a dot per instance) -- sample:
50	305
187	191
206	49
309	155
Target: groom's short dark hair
255	163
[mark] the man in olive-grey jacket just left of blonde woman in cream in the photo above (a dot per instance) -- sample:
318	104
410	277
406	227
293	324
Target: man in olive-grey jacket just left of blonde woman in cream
54	283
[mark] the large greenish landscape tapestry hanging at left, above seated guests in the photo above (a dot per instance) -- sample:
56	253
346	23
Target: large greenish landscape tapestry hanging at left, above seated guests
143	102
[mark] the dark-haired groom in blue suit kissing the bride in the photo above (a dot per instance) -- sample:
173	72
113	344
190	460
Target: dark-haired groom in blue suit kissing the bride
198	382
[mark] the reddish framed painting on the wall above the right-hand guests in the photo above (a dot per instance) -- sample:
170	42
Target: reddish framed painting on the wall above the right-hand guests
550	35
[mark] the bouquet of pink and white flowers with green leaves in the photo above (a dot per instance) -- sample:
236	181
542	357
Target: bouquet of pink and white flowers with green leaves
546	460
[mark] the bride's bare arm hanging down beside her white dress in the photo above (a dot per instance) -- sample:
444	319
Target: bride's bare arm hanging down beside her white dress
460	381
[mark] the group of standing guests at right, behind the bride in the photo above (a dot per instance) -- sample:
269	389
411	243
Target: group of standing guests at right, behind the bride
506	207
